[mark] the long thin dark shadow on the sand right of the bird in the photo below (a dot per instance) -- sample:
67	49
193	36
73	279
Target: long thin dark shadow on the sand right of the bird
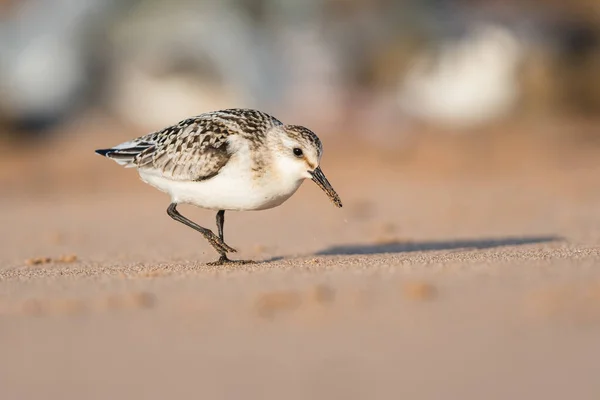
463	244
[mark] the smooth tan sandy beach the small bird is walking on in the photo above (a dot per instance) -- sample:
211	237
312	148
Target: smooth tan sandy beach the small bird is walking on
424	286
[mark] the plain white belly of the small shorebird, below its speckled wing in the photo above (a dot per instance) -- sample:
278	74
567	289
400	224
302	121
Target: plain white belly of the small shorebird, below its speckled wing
228	190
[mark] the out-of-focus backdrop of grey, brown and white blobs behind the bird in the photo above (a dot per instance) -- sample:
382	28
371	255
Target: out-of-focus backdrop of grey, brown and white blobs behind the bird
406	78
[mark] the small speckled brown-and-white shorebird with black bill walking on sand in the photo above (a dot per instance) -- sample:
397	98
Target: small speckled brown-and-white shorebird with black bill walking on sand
236	159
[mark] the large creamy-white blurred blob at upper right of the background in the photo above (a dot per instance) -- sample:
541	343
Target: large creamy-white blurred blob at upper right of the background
471	82
